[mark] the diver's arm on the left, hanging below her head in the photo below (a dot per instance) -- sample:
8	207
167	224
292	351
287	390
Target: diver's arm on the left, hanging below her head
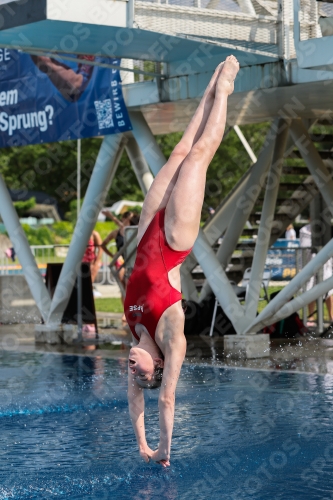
136	404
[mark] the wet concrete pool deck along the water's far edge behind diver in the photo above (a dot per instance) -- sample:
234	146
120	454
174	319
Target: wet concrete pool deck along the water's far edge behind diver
308	354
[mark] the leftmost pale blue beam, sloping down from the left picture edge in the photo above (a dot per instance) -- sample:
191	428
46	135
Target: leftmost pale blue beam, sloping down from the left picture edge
23	251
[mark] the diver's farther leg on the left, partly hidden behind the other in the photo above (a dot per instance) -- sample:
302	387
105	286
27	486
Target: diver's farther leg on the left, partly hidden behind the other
161	189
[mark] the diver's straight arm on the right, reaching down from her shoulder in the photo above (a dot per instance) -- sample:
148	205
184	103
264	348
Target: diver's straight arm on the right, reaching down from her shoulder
174	357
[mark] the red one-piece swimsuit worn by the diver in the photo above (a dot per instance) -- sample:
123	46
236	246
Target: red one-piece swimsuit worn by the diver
149	292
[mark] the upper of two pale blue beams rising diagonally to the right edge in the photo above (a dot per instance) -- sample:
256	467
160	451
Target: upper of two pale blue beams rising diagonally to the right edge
293	287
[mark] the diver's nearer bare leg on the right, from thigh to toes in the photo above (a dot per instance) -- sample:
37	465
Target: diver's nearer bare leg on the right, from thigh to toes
183	210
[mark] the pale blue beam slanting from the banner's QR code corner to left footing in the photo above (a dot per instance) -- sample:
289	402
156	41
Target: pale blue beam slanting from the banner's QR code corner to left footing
105	167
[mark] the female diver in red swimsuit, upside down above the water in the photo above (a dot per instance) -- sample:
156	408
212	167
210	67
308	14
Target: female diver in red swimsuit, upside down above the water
169	225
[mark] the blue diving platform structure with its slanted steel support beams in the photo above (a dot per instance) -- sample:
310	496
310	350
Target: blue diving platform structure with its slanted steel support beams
284	50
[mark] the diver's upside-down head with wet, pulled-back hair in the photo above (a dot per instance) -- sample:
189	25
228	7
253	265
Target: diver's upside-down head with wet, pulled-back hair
146	369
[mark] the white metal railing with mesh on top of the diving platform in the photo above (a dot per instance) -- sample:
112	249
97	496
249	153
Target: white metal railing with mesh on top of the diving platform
262	26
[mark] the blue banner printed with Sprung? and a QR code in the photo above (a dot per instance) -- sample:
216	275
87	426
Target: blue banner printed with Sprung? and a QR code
45	99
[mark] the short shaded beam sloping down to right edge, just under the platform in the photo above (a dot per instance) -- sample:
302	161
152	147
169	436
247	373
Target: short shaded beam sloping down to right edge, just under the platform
314	162
